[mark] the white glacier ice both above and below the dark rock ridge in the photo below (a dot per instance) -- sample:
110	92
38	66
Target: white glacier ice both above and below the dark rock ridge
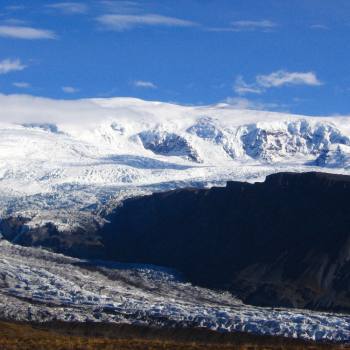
72	162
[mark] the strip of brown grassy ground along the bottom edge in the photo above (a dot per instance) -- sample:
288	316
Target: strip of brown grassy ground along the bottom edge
53	336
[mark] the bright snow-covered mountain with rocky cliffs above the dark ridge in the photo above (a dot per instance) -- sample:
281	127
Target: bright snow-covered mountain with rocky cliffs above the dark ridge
64	158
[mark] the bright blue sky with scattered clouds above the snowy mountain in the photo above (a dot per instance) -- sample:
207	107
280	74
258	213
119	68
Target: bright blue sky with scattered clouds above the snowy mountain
290	55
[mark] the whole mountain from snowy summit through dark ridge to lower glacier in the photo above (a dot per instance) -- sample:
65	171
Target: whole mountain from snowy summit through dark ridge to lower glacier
106	180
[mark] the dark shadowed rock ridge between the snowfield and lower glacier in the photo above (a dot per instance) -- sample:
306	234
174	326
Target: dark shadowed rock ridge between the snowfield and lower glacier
284	242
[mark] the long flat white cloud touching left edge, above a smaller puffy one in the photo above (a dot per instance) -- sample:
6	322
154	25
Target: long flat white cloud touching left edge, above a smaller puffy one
28	33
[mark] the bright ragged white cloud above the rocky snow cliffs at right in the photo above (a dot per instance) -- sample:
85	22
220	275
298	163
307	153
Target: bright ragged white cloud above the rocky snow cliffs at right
274	80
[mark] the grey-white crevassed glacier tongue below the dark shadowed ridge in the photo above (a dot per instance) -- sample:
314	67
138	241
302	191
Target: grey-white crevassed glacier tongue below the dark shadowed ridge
37	285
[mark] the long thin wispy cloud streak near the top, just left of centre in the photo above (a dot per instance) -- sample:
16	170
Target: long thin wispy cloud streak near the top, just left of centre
120	22
